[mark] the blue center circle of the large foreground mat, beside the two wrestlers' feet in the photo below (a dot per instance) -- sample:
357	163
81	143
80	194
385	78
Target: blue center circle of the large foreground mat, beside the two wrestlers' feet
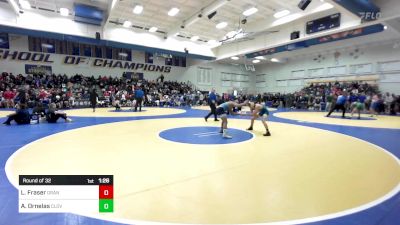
204	135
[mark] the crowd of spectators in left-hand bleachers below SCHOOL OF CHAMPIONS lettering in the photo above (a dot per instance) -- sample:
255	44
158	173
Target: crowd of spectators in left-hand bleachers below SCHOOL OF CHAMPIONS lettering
69	92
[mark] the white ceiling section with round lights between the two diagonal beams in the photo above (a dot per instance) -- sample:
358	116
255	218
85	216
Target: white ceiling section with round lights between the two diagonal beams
155	14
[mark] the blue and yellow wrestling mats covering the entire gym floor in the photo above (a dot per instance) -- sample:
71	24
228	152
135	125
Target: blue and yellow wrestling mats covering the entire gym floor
171	166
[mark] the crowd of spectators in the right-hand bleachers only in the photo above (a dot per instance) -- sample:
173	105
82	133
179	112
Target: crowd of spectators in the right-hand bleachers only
322	97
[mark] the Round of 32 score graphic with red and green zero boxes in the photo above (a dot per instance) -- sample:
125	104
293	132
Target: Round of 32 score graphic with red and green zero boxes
66	193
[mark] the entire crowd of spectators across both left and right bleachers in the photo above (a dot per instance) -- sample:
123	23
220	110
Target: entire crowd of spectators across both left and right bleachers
73	91
